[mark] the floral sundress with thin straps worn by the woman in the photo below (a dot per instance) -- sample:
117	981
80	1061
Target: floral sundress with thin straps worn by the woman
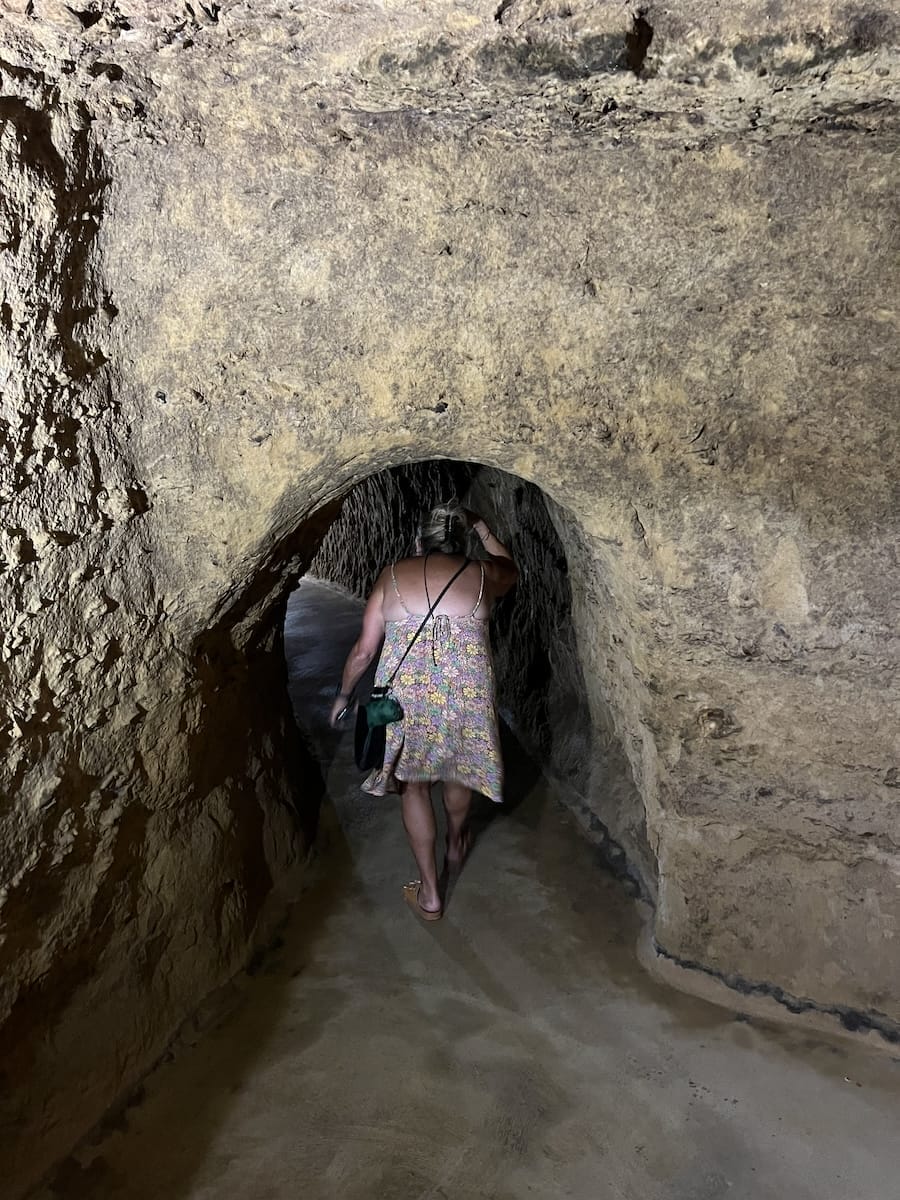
447	691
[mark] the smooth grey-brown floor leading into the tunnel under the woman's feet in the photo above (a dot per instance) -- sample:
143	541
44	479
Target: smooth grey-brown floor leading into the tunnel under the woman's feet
514	1049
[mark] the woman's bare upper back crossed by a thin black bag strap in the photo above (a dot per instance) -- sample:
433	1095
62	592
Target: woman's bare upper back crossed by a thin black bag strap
406	595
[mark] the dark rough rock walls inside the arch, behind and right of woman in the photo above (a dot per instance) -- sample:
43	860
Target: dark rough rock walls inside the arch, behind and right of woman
543	697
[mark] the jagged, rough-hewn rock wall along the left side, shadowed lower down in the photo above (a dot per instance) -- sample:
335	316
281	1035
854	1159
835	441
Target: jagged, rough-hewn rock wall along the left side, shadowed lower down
137	850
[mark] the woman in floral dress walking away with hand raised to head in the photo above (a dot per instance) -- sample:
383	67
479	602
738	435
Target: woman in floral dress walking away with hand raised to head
446	686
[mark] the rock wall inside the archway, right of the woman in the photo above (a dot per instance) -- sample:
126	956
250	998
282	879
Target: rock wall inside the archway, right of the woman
550	641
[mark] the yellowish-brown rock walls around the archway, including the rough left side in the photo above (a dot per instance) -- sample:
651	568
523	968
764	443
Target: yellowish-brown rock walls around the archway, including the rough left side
634	274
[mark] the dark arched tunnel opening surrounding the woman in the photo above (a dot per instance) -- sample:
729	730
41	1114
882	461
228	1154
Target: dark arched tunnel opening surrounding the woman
542	695
